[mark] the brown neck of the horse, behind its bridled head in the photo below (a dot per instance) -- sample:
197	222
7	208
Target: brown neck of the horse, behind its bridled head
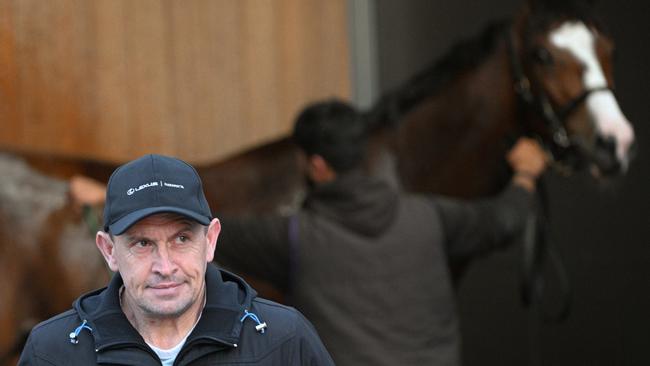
454	142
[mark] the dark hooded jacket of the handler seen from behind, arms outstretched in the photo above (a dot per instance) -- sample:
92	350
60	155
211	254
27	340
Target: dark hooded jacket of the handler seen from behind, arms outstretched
370	267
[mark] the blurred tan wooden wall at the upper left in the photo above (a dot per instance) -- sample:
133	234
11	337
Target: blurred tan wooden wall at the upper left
113	79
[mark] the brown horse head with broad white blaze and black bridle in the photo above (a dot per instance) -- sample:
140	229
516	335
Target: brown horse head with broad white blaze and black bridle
561	59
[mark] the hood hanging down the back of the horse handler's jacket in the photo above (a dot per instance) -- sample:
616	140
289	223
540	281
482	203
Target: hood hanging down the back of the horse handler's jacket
360	203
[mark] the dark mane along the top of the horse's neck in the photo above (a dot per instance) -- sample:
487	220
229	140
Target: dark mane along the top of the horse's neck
461	57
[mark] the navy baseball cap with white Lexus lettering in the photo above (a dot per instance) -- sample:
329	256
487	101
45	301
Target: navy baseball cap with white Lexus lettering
153	184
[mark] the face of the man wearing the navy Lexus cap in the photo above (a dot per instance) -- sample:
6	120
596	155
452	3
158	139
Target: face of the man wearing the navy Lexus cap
162	260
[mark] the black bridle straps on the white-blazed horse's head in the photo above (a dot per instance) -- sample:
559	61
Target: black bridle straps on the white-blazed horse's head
554	118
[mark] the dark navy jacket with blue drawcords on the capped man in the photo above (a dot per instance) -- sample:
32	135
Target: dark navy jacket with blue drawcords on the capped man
219	338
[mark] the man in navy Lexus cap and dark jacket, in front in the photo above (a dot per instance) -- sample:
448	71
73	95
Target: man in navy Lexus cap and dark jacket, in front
165	304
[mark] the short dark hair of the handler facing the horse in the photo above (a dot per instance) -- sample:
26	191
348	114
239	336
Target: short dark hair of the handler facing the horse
334	130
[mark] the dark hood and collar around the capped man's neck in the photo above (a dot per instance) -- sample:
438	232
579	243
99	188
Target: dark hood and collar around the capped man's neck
228	298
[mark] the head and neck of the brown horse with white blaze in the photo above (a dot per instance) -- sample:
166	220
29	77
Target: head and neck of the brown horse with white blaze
547	73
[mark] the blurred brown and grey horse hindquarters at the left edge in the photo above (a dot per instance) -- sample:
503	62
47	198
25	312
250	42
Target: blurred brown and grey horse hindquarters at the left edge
45	252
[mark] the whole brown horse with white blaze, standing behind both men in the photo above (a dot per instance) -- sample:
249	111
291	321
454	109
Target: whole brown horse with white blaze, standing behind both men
547	73
